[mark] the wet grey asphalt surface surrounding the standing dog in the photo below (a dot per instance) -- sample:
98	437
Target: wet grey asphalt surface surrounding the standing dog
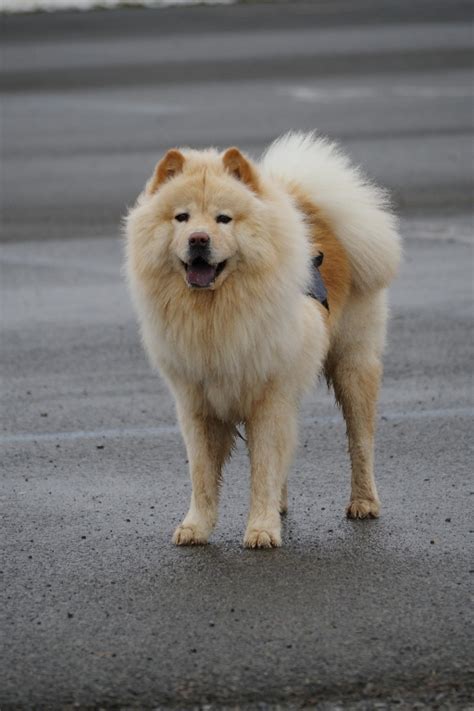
98	608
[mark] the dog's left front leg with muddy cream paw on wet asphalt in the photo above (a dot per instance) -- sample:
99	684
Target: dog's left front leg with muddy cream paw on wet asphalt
208	444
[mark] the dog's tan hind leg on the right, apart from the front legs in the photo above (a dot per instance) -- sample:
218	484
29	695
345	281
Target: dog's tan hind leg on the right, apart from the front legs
354	368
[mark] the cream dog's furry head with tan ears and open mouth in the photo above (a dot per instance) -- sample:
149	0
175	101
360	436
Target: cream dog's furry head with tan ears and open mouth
202	215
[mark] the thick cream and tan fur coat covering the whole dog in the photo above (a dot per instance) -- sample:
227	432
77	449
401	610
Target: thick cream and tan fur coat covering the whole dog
247	348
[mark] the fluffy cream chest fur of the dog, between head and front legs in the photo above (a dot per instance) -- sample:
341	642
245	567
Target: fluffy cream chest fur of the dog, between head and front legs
225	358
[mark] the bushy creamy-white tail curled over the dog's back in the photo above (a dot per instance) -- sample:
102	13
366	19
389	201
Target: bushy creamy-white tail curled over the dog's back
357	210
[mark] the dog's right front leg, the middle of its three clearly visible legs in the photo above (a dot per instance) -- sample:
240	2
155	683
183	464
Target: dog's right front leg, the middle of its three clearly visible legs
271	435
